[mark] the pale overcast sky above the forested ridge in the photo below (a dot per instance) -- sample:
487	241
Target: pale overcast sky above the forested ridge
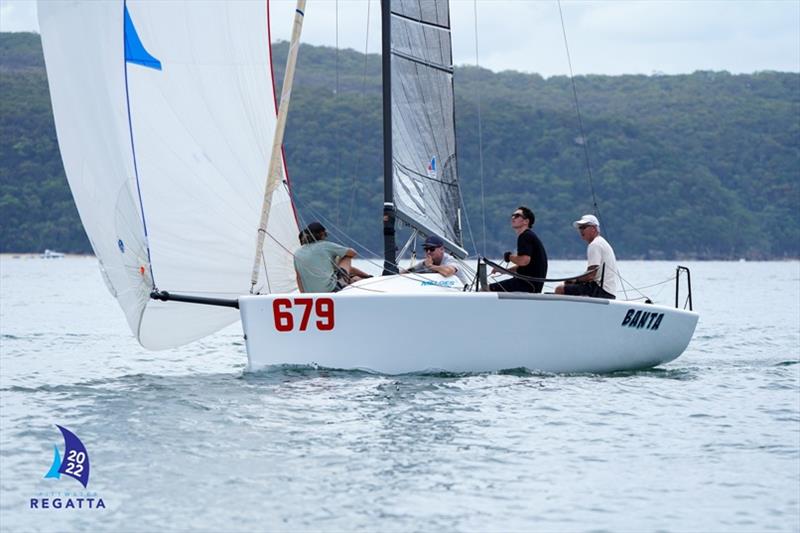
605	36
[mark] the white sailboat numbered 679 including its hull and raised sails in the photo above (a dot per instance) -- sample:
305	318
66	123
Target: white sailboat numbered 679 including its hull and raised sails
166	119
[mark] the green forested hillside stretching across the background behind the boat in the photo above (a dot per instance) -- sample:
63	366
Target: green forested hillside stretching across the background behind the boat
705	165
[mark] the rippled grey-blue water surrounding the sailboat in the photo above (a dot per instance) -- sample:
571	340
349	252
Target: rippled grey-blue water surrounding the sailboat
185	440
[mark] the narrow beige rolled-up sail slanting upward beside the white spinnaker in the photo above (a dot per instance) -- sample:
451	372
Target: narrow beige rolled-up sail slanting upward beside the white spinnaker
275	175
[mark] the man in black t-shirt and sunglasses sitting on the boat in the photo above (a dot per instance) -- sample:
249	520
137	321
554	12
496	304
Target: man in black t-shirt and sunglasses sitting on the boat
530	259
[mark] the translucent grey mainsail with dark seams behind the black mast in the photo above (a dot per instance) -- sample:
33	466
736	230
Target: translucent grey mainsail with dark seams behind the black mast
423	125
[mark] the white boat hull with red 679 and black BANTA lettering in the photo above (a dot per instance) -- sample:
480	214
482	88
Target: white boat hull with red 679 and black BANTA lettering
414	326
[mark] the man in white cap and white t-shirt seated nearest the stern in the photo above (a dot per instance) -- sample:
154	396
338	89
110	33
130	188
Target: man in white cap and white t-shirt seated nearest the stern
601	279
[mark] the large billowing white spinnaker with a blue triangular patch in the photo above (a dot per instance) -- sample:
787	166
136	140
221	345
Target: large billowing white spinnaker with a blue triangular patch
200	129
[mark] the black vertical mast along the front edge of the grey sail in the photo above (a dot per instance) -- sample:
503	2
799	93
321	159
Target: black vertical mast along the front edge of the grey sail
389	247
